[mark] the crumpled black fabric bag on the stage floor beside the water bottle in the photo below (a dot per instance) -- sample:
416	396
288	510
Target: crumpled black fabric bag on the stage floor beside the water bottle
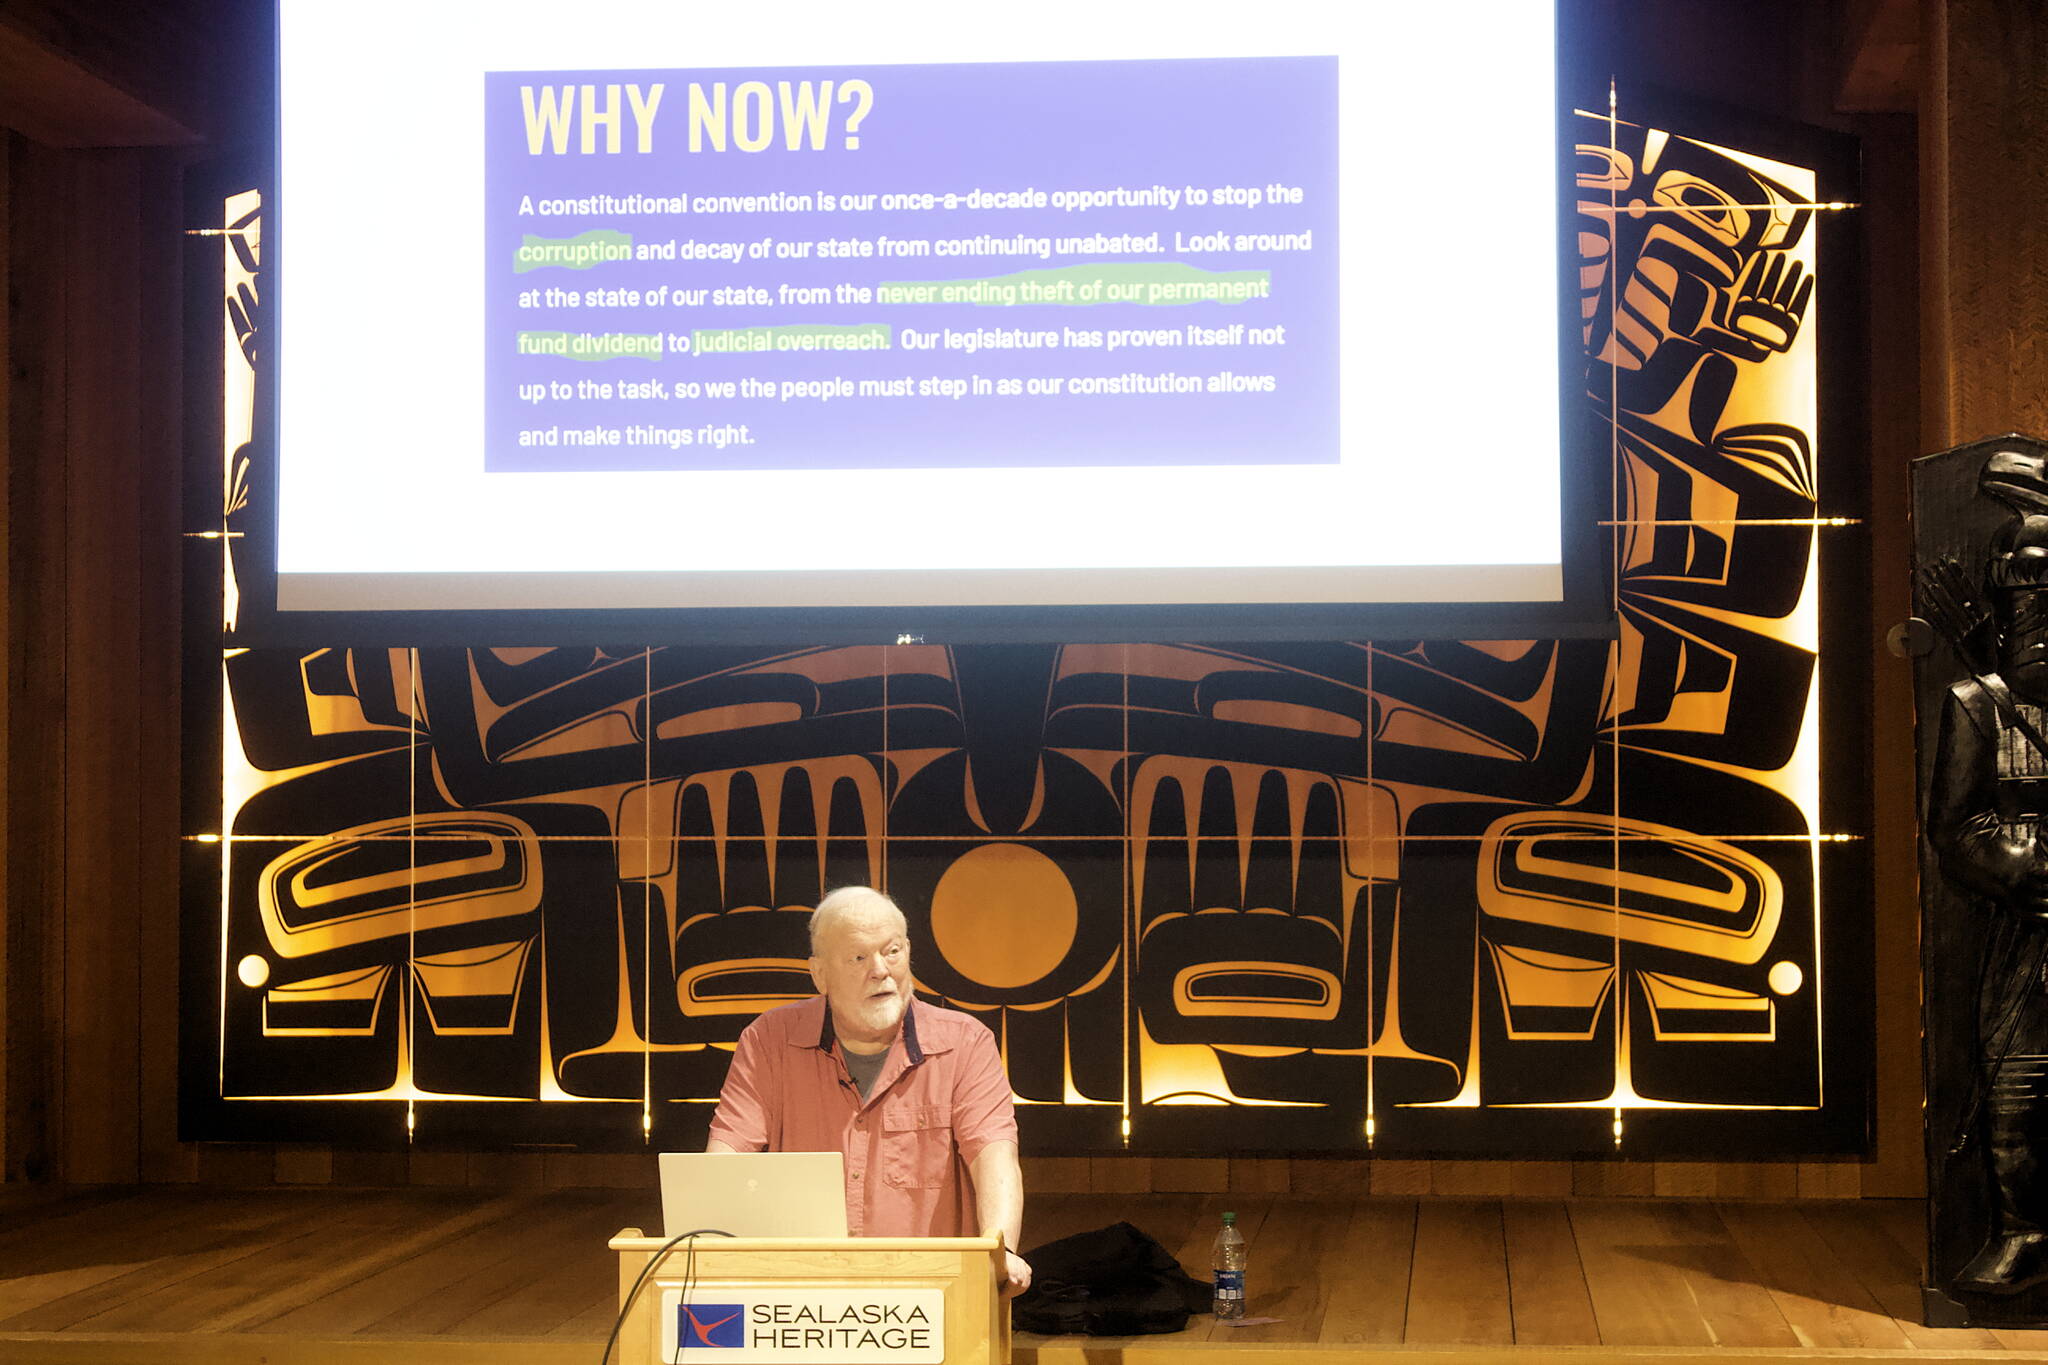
1111	1282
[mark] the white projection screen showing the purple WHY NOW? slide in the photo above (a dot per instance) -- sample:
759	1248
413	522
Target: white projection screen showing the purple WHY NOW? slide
650	304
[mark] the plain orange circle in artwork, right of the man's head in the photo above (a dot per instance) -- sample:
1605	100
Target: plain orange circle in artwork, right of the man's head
1005	916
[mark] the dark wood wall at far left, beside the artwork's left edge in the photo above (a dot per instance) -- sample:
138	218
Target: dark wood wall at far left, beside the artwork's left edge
93	603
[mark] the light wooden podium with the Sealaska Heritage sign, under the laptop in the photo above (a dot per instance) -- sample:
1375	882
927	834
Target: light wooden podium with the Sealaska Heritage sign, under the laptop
857	1294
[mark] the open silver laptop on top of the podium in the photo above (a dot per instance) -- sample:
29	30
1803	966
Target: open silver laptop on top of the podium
755	1194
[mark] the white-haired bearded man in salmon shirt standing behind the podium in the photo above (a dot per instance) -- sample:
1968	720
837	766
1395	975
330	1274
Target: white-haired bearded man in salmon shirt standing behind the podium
910	1094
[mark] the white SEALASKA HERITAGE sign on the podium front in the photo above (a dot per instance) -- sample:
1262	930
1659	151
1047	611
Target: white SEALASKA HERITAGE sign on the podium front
804	1325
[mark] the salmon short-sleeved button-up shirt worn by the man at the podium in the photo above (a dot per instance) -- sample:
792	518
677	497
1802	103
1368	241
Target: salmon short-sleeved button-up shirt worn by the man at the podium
939	1100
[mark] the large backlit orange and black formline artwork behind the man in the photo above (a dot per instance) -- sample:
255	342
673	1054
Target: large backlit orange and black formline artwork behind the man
1412	895
